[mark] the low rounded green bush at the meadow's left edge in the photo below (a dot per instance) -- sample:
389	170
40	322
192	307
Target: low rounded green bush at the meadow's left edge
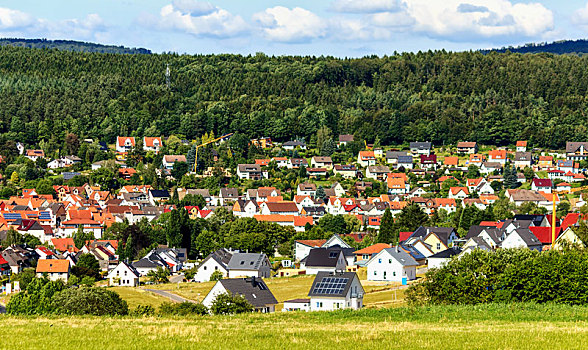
89	301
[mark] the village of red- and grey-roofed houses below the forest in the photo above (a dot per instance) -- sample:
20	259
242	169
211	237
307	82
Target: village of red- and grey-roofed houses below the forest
536	200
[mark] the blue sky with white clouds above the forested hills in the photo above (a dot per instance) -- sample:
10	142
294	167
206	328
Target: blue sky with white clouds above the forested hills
301	27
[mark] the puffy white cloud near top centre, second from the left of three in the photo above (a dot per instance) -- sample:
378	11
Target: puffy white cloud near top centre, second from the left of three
295	25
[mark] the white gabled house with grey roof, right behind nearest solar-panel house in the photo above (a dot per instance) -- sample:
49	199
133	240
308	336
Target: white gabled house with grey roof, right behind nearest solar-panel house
392	264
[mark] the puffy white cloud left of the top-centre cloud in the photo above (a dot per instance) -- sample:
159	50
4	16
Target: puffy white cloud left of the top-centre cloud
201	19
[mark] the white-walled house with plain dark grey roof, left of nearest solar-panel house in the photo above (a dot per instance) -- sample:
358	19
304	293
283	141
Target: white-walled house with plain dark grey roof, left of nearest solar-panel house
253	289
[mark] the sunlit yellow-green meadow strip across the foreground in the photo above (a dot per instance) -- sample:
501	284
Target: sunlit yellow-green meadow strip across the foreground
522	326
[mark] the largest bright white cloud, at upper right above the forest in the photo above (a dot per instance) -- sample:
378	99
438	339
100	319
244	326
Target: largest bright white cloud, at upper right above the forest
464	20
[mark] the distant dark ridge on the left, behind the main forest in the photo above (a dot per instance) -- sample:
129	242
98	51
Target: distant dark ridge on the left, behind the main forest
70	45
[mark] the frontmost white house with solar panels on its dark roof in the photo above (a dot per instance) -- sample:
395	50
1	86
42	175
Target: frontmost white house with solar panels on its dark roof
336	290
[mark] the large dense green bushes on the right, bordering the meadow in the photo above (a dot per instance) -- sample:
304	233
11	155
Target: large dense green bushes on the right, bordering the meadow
509	275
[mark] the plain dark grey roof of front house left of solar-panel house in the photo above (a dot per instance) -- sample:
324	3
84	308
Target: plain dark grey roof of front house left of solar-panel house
253	289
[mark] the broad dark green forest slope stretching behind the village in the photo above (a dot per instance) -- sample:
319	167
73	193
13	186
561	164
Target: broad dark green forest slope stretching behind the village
438	96
